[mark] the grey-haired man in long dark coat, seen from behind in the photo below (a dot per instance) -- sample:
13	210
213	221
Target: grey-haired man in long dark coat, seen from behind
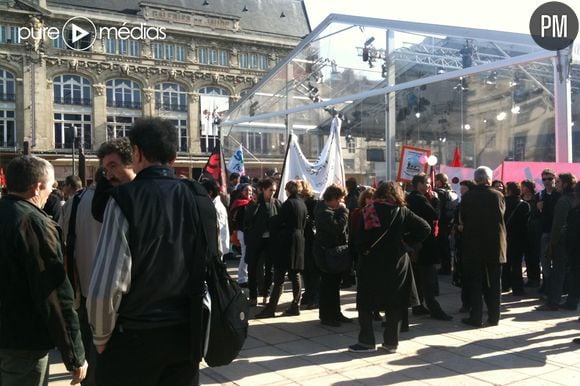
484	246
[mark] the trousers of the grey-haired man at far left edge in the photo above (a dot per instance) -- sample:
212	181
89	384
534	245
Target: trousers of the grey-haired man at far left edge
23	367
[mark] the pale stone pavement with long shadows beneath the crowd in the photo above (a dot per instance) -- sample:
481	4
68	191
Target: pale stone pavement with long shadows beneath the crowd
527	348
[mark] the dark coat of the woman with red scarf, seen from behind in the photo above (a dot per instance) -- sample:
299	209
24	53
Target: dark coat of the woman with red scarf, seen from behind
384	275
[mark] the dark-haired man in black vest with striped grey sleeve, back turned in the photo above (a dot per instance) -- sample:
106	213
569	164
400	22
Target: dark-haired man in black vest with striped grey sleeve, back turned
144	299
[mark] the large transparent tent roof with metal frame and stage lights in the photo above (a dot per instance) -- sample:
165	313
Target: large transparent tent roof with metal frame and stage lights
400	83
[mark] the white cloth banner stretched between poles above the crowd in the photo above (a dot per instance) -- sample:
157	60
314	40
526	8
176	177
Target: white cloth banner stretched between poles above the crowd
327	170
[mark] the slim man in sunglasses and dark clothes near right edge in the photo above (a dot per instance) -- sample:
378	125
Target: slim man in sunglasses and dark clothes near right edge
547	199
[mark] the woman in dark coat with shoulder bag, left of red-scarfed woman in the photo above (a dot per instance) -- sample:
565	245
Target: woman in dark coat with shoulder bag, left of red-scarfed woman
331	221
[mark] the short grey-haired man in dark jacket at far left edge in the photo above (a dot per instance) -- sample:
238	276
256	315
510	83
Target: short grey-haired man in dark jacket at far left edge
36	298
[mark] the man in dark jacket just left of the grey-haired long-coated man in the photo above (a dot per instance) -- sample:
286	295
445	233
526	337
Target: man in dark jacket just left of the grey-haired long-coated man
424	266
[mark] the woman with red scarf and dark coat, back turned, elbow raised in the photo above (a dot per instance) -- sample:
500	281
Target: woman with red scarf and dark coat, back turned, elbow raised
384	273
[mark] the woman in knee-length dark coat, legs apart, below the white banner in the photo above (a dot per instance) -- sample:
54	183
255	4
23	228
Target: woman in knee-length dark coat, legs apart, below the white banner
289	239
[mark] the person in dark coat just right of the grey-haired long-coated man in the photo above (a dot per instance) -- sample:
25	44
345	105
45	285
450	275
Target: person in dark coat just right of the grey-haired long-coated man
516	216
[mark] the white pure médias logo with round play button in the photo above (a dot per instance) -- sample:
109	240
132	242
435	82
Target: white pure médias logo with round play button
80	33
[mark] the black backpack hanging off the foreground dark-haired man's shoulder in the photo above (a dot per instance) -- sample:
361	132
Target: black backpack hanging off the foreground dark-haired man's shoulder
228	328
